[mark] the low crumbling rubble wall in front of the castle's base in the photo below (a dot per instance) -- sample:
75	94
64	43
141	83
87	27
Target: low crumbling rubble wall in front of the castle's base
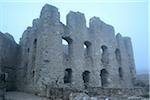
65	93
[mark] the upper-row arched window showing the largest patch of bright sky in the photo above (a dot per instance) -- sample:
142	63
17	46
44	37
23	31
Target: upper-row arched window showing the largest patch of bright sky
67	45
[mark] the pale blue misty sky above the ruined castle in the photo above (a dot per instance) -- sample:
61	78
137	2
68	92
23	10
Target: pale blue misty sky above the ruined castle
129	17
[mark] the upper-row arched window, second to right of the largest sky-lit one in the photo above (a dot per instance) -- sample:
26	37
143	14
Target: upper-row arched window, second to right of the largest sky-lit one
105	54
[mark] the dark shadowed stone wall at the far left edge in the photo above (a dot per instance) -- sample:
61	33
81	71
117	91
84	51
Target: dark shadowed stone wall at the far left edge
9	52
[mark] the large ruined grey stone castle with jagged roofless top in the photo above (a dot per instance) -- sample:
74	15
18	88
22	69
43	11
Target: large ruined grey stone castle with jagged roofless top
92	56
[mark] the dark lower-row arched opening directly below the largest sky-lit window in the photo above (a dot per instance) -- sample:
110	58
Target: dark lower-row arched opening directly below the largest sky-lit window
68	76
